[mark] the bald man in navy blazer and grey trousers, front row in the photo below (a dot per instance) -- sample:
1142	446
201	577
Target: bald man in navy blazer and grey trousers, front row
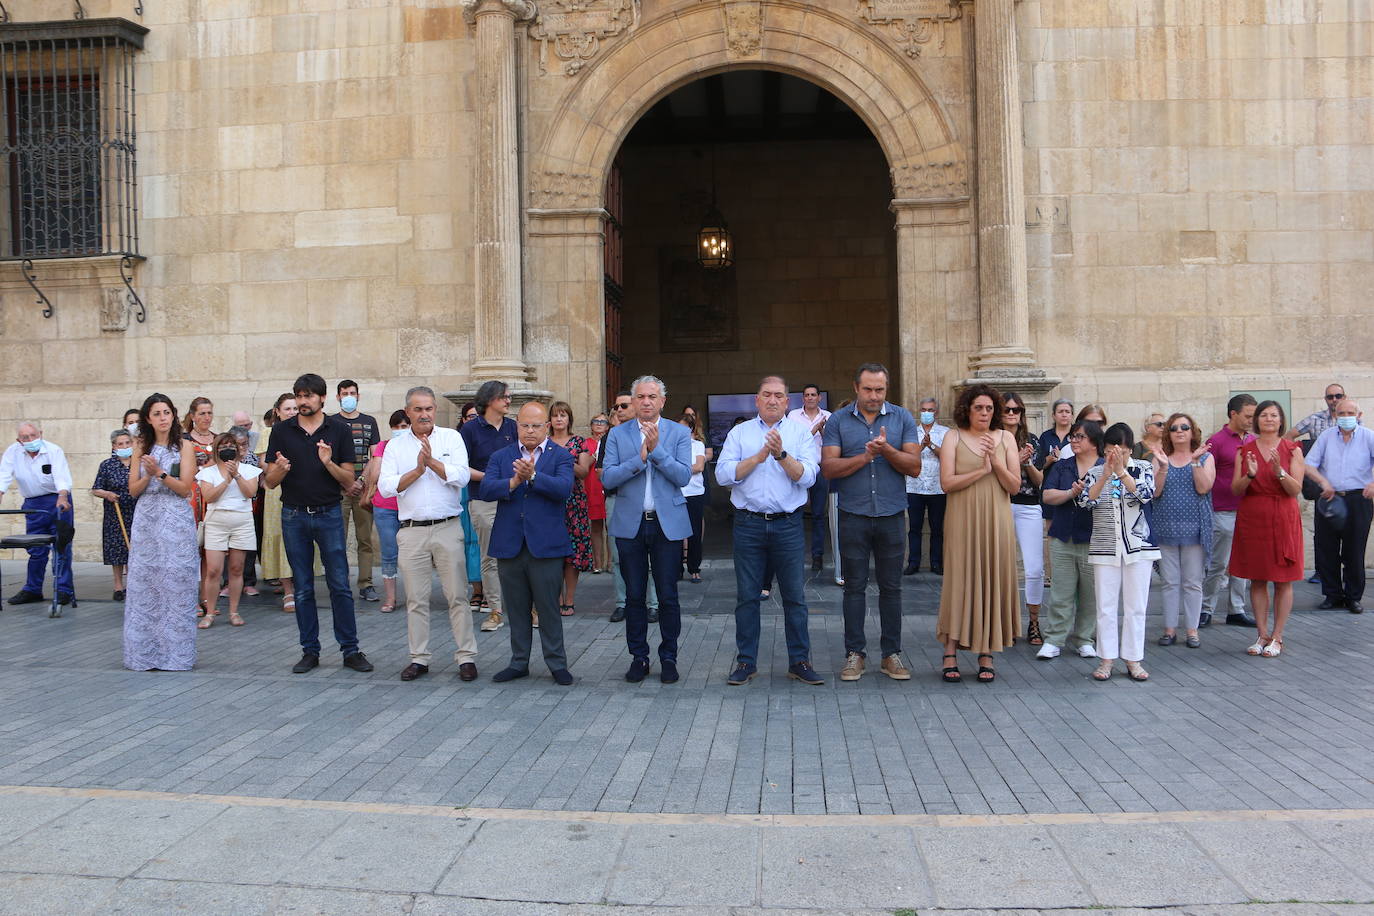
530	483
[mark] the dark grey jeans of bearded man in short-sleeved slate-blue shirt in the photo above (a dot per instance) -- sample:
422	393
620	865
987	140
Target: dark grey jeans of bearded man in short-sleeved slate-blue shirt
861	538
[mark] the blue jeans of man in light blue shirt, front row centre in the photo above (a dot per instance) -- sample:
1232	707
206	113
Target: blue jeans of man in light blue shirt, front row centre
777	545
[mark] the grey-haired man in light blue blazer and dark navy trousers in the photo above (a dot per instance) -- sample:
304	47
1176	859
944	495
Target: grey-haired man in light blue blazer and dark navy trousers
648	463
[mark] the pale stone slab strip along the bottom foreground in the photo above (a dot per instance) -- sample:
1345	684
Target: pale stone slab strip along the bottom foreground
263	856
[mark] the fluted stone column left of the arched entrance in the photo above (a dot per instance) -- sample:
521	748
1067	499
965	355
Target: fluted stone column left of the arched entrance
499	340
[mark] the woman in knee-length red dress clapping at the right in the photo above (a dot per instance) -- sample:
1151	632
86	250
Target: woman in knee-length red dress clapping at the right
1269	528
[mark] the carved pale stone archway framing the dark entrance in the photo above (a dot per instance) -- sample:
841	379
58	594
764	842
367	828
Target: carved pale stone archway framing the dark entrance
576	138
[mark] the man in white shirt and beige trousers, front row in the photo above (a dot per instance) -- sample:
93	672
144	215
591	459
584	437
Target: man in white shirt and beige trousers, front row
427	470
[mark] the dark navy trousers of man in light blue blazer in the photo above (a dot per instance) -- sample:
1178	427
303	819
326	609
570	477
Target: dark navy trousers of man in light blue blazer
641	556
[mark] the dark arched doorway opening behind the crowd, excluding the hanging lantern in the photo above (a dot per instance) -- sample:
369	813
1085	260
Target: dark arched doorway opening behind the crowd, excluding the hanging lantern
806	190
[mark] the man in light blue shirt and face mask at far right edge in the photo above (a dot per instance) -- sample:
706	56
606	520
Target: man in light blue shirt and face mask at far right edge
1343	466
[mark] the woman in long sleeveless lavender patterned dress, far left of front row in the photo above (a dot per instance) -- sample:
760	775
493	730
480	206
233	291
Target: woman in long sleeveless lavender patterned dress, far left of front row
164	564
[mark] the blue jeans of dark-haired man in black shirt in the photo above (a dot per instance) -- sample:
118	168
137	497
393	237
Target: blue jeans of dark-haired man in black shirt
302	532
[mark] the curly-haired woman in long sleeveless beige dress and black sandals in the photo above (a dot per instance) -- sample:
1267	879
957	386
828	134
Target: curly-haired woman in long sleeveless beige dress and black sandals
980	606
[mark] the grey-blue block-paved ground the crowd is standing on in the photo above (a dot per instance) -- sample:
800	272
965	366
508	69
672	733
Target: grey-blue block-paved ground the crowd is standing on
1214	730
